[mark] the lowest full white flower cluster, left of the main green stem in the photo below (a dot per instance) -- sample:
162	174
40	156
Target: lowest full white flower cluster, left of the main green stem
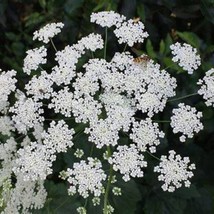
86	177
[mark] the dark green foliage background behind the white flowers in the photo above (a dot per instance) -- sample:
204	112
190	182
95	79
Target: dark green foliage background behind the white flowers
167	21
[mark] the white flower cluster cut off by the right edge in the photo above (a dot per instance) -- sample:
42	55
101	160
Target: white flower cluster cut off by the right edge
207	87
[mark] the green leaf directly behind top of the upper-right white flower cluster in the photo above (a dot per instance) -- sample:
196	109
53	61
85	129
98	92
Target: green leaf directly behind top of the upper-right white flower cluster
190	38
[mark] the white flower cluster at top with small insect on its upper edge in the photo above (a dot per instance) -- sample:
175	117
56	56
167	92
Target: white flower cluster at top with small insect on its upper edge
131	32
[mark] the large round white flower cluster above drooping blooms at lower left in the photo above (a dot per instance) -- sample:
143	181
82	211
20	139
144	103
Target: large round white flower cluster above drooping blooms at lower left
34	162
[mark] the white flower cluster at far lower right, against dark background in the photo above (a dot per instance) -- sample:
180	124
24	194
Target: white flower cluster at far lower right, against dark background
174	171
